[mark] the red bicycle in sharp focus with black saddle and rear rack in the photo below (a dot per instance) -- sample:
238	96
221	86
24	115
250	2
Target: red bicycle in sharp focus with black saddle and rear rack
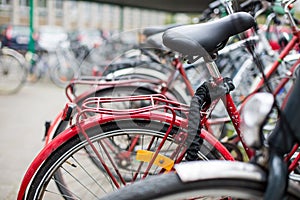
94	143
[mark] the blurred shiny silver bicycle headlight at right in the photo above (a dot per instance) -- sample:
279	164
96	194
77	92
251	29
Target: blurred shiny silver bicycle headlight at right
253	117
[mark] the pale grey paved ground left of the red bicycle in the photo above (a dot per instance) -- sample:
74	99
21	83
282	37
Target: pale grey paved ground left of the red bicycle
22	118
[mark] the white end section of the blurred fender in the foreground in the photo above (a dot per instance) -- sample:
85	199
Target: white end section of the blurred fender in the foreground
216	169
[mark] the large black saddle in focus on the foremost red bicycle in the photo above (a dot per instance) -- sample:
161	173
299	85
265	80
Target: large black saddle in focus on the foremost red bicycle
191	39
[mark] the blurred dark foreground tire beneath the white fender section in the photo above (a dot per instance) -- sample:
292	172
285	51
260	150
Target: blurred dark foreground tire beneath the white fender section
169	186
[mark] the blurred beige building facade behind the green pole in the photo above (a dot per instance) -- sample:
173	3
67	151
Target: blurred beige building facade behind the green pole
79	14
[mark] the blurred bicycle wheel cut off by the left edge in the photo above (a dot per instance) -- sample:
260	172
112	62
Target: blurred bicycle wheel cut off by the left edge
13	71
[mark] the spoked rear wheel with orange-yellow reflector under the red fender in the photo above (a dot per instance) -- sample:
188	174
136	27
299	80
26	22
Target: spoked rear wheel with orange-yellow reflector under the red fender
80	175
